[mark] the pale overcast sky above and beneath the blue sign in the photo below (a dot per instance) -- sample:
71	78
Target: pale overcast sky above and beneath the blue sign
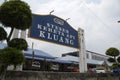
98	18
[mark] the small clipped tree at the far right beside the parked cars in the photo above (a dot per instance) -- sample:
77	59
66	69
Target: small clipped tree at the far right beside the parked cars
114	57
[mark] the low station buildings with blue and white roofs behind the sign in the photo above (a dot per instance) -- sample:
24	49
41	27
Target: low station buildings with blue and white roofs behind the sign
42	61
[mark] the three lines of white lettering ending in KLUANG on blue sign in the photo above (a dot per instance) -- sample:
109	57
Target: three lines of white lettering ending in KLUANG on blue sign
55	34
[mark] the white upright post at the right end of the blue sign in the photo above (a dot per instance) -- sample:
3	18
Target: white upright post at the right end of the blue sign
82	51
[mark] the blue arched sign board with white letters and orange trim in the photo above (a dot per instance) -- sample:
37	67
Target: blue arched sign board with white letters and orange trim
53	29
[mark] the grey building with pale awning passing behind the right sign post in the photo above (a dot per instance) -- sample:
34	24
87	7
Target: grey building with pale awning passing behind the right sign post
94	59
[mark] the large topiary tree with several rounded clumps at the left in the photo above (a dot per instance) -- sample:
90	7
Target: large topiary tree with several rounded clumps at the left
13	14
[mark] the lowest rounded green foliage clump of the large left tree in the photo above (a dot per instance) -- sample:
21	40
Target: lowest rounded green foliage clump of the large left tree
11	56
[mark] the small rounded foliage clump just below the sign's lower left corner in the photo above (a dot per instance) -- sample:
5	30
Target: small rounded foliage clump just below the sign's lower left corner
18	43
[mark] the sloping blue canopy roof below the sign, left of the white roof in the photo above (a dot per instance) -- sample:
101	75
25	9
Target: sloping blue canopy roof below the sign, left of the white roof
40	55
